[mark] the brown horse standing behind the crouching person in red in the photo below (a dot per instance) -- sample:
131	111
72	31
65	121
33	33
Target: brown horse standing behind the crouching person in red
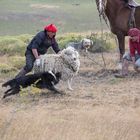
118	16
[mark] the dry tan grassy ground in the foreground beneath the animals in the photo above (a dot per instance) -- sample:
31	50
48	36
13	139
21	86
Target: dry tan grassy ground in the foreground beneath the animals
101	107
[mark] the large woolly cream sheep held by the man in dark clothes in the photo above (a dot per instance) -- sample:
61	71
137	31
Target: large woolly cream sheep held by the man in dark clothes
66	62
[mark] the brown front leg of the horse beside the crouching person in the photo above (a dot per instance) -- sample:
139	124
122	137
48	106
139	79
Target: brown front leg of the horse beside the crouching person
121	41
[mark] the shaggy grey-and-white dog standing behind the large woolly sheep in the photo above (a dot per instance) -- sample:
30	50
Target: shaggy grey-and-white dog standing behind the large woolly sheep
83	44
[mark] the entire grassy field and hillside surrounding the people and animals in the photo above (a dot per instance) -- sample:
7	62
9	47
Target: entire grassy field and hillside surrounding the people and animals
100	105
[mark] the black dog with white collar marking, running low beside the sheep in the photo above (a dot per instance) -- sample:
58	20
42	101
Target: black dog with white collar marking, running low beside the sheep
41	80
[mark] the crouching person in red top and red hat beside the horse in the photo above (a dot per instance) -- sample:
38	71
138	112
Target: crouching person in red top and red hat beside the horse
133	56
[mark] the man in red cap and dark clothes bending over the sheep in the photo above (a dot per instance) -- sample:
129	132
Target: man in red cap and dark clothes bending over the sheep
38	46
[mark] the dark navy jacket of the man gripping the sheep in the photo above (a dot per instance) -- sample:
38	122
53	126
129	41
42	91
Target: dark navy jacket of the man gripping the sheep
42	42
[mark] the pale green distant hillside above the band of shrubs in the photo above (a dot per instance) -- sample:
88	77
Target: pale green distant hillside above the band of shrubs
30	16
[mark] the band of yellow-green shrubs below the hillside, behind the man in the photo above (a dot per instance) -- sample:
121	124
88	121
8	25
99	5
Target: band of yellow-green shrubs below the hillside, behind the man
13	47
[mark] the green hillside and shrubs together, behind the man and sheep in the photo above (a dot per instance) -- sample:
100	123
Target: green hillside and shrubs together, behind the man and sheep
21	20
